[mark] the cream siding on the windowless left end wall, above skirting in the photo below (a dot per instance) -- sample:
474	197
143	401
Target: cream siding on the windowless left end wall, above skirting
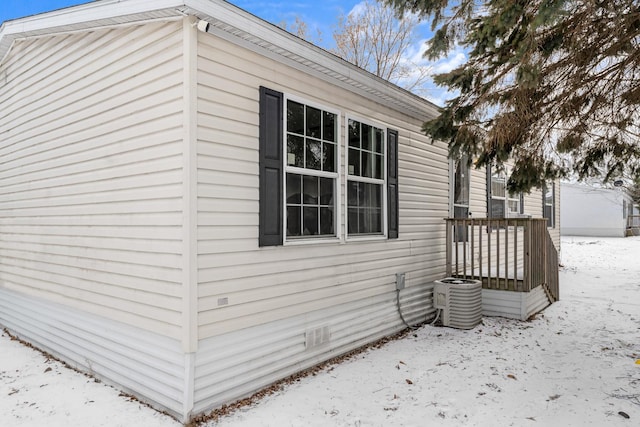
91	172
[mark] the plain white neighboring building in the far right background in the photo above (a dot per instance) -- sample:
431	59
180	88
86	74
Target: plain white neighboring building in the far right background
592	211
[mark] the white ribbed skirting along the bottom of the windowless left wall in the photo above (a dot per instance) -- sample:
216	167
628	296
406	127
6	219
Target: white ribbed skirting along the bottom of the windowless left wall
132	358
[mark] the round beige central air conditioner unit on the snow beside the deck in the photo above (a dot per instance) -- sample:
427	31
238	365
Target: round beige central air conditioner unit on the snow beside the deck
460	301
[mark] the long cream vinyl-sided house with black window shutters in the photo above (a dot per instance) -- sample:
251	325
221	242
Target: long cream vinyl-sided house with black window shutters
195	203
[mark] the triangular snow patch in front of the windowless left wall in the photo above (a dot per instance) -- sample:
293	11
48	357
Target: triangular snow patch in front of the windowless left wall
36	391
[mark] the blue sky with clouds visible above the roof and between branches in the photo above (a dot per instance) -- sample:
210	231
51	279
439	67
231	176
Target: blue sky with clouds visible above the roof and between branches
318	15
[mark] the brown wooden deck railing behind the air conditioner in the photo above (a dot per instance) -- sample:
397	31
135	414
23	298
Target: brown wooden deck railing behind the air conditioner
513	254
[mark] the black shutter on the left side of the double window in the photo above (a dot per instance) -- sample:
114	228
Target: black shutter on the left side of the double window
270	231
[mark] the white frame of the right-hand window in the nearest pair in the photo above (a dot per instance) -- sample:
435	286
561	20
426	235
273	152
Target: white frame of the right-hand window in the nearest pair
385	205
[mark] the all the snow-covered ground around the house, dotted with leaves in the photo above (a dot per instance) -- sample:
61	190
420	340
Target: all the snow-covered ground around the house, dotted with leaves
575	364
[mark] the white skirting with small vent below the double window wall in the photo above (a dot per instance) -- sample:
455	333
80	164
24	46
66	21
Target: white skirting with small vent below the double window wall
235	364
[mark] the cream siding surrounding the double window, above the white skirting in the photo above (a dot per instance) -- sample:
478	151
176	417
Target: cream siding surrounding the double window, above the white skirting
262	285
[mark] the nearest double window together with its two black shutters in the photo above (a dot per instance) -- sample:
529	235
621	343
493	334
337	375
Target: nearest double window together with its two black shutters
299	193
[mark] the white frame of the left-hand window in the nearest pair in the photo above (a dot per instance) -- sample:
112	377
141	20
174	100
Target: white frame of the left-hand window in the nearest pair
336	176
